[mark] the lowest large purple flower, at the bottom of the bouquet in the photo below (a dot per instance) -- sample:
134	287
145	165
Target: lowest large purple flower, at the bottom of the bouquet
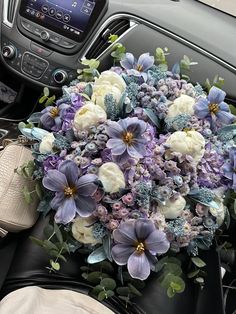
137	244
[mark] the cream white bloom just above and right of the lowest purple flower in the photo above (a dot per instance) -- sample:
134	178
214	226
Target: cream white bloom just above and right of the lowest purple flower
172	209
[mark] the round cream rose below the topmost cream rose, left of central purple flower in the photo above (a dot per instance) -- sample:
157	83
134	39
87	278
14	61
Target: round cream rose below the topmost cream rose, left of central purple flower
89	115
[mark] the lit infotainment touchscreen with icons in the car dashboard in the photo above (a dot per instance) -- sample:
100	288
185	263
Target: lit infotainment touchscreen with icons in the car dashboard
71	18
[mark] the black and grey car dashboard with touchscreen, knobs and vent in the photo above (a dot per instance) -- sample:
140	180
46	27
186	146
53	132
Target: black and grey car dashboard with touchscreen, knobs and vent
43	42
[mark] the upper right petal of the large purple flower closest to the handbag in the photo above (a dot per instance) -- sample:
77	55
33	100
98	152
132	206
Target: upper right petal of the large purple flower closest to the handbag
86	185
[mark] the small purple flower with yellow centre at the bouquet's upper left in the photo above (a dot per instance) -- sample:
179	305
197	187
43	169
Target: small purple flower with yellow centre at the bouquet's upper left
51	117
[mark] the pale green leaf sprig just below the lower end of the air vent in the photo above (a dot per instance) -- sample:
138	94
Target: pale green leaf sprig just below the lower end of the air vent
90	70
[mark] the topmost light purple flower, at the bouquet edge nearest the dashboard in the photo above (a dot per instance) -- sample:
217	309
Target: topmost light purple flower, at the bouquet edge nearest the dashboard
137	68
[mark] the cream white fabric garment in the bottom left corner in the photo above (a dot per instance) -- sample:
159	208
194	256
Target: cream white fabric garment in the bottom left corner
35	300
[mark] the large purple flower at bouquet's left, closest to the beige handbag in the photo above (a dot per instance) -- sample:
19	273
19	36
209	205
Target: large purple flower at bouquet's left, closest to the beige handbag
73	194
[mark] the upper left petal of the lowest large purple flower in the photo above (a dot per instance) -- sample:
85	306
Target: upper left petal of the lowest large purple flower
125	234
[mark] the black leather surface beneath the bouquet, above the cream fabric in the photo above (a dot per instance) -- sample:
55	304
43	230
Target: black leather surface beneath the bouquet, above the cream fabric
29	268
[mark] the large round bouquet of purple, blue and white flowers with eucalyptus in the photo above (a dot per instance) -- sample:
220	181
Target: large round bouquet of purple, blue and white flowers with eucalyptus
136	164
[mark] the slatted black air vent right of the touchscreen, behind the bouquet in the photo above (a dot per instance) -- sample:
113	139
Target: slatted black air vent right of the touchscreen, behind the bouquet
116	27
